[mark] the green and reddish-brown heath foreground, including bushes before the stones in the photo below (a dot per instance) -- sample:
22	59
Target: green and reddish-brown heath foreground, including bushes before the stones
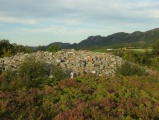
31	94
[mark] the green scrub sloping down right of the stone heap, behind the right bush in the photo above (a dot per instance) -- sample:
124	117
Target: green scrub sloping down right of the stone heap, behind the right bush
147	58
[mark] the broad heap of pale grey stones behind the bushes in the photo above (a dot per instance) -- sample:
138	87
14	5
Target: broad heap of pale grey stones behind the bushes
74	63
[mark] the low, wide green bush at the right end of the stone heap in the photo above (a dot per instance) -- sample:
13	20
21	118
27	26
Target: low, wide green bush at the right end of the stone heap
130	69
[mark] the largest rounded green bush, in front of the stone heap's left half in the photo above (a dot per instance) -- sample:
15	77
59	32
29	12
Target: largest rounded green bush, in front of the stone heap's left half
32	68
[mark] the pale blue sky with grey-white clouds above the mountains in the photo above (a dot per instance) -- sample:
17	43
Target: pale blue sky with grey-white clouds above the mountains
41	22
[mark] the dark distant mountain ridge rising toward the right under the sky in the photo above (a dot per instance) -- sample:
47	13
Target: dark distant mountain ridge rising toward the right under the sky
120	38
